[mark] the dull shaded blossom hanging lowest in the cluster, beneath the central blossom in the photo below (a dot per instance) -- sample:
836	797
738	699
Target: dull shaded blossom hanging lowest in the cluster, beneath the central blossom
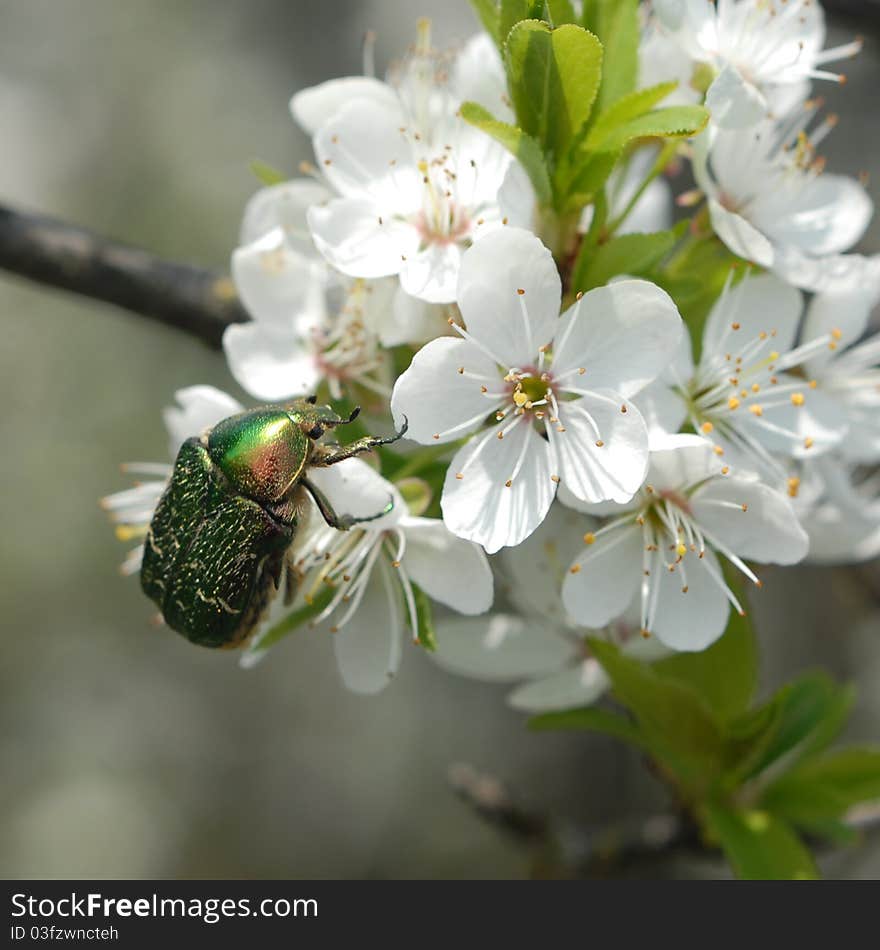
541	645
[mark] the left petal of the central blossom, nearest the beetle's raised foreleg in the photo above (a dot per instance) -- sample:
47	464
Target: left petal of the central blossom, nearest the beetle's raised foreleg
437	400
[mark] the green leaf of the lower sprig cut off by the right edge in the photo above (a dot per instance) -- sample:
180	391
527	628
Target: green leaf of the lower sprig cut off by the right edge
825	788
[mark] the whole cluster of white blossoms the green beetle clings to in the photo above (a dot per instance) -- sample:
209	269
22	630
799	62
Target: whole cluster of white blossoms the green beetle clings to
612	444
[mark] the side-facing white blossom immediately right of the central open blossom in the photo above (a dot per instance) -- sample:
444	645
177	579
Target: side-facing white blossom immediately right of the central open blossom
741	394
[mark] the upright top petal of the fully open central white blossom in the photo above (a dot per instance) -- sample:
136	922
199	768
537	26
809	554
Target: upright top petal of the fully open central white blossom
493	272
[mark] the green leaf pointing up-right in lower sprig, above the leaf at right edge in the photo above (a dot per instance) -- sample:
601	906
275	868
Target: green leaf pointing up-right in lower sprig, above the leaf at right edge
808	714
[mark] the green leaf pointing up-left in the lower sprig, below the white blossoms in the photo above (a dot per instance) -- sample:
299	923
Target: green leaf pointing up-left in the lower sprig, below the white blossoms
673	718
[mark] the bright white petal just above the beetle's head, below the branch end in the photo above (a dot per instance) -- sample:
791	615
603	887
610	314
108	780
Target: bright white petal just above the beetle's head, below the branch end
269	365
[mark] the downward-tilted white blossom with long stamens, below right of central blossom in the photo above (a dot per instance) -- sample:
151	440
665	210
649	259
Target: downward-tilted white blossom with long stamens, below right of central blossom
660	551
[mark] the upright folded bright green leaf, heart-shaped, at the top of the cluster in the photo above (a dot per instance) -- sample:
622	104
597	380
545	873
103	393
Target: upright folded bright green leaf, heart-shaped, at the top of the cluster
553	77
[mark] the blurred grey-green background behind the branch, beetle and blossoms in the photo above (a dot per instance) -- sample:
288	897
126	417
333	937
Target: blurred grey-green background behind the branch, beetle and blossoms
124	750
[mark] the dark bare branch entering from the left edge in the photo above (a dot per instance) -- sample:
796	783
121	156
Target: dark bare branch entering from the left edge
194	299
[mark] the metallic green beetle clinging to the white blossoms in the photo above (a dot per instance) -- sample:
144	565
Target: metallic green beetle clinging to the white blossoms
216	547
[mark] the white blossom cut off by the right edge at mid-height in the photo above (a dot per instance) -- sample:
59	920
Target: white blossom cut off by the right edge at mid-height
847	370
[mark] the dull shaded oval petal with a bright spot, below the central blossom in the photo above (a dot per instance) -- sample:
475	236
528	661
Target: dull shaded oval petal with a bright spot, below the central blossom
501	647
